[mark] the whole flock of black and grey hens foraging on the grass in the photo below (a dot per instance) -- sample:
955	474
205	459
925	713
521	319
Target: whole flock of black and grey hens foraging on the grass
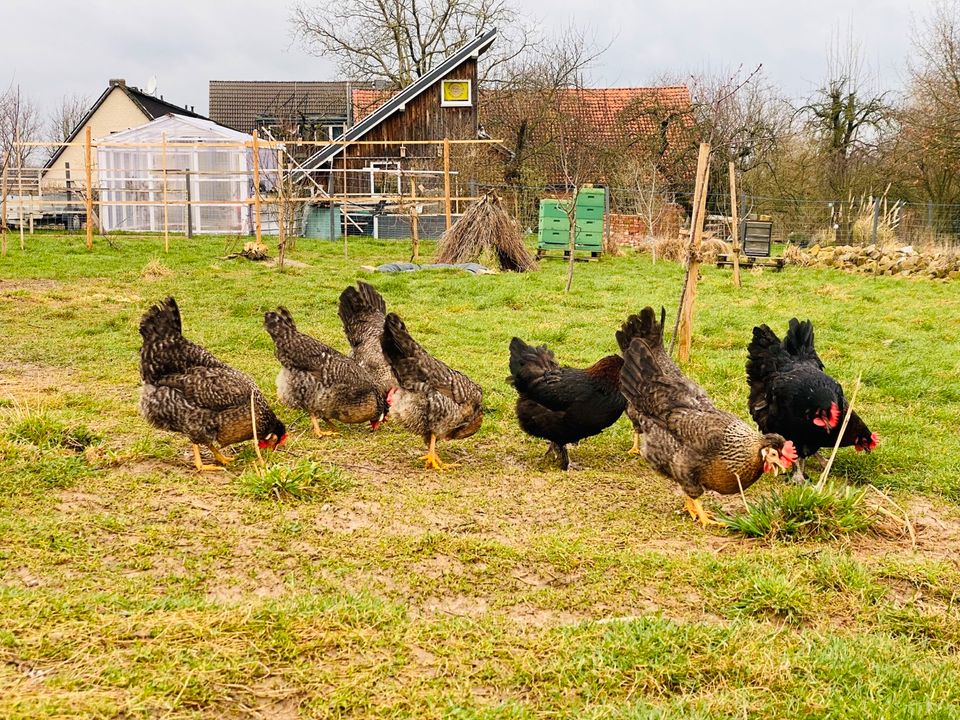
796	406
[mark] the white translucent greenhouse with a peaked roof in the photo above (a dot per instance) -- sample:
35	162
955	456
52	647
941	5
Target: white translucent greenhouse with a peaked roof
213	177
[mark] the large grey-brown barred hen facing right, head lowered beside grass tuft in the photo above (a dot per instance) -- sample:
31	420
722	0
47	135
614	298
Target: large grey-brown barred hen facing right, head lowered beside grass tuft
684	436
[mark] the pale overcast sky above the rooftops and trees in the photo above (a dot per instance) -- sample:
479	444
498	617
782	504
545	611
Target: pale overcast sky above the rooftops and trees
54	47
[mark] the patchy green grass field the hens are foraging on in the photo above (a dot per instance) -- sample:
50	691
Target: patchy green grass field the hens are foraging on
347	581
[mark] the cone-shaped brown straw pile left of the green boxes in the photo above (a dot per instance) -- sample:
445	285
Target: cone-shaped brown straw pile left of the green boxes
486	229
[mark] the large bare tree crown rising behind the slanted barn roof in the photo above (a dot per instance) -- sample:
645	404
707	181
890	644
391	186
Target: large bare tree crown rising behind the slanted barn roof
398	41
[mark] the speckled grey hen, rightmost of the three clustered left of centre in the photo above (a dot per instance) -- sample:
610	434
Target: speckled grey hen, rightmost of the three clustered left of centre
430	399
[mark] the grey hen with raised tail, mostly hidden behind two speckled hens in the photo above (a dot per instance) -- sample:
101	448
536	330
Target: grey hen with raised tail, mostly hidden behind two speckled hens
362	312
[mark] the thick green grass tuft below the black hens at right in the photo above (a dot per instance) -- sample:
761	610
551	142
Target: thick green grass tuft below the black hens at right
804	512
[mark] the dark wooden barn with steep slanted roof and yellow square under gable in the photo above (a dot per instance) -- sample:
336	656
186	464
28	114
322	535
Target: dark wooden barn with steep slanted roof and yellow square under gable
442	104
